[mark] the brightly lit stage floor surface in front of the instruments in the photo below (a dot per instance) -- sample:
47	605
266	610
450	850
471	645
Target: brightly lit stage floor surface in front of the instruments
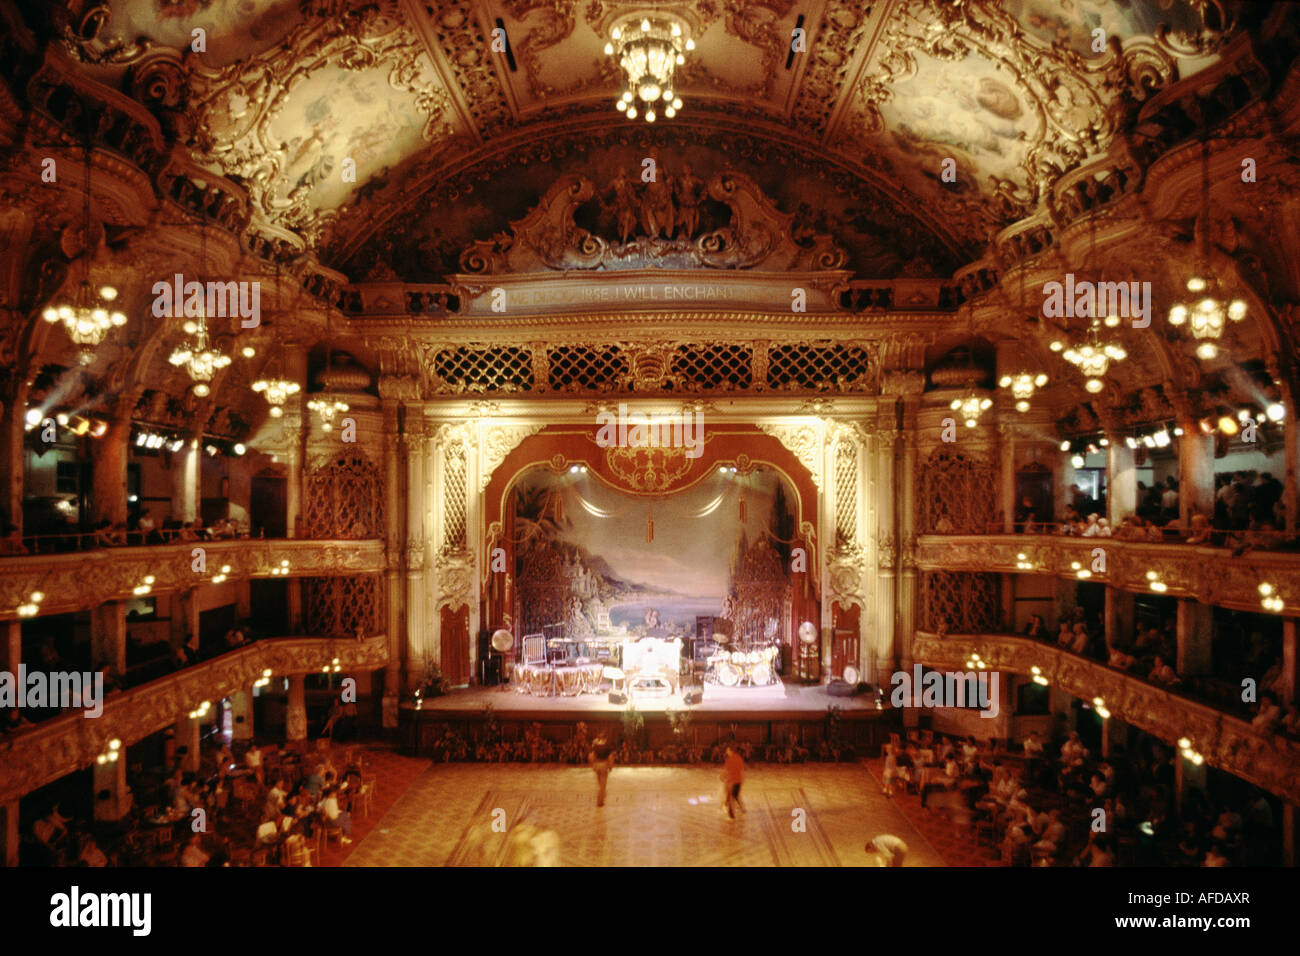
778	702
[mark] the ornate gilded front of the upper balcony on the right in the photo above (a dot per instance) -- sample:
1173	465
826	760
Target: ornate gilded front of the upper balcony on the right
1210	576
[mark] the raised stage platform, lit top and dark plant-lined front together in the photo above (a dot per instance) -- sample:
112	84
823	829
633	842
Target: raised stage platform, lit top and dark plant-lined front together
760	716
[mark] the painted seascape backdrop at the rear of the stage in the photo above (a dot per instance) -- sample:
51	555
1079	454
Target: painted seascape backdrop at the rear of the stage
608	564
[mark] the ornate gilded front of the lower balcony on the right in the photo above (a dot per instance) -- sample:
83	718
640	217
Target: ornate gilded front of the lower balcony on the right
1225	742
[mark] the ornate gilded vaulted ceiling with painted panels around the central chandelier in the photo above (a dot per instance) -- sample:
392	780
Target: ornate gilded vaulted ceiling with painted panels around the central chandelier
357	124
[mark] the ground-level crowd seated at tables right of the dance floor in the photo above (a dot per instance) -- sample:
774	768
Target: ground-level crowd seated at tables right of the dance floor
1038	804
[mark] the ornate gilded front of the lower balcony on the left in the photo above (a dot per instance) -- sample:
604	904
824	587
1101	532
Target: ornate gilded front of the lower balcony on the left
64	745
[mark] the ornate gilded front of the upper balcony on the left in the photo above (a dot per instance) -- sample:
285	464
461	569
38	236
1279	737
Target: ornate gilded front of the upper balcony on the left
88	579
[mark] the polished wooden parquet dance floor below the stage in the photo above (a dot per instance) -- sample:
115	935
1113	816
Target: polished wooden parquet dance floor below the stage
653	817
